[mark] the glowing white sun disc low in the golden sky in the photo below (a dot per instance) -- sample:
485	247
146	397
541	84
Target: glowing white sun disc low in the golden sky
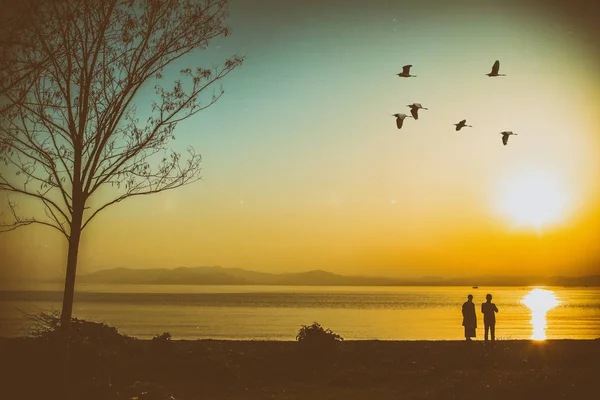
532	199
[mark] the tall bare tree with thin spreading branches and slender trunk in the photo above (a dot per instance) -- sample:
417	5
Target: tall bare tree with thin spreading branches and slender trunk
71	84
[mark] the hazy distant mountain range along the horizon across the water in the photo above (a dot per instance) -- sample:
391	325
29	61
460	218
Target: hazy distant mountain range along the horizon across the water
238	276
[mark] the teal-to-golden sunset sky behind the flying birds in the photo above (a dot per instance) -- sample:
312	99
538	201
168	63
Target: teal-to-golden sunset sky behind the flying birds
304	168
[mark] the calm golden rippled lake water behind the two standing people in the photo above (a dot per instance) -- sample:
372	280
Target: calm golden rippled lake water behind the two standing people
277	312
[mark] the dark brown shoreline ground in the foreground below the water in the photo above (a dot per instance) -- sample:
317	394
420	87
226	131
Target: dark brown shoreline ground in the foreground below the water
379	370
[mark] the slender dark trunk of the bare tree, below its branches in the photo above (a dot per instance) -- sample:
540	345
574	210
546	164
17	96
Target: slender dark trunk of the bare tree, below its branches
74	237
